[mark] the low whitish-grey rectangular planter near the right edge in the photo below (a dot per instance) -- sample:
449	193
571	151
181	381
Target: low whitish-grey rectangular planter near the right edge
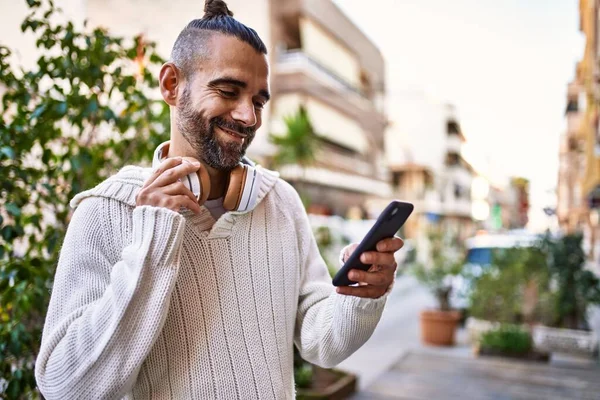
568	341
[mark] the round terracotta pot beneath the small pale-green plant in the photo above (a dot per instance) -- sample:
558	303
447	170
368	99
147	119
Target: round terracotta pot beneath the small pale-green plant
438	327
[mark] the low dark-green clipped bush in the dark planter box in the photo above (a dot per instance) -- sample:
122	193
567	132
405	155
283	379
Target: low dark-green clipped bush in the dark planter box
508	339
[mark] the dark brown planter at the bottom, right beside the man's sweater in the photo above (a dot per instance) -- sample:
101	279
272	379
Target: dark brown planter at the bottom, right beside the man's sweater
330	384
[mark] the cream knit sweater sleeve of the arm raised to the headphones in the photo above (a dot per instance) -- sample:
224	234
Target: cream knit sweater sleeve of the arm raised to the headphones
107	306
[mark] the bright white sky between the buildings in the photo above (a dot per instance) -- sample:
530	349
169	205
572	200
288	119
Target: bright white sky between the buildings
504	64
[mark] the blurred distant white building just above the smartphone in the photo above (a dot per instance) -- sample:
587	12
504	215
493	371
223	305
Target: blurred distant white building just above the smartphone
424	154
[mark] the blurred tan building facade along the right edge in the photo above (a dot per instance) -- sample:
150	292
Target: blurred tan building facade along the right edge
578	192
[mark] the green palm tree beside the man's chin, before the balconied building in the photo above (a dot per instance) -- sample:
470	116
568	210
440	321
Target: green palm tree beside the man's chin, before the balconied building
298	145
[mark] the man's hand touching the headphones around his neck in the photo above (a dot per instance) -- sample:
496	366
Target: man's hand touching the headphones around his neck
165	189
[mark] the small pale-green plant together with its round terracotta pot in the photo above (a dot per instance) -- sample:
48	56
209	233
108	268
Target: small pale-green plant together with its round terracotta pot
438	325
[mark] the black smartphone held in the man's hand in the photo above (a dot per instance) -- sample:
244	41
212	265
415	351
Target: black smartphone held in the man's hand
386	226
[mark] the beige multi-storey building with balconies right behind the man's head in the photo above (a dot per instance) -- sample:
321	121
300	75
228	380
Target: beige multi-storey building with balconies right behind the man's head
327	65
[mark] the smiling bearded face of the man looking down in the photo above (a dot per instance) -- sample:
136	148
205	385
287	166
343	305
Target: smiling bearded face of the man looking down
219	108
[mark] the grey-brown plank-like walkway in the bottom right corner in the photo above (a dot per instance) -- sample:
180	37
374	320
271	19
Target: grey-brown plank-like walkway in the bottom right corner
434	374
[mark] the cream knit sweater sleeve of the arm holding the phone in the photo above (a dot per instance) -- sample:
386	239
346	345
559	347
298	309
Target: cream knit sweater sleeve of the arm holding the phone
329	326
